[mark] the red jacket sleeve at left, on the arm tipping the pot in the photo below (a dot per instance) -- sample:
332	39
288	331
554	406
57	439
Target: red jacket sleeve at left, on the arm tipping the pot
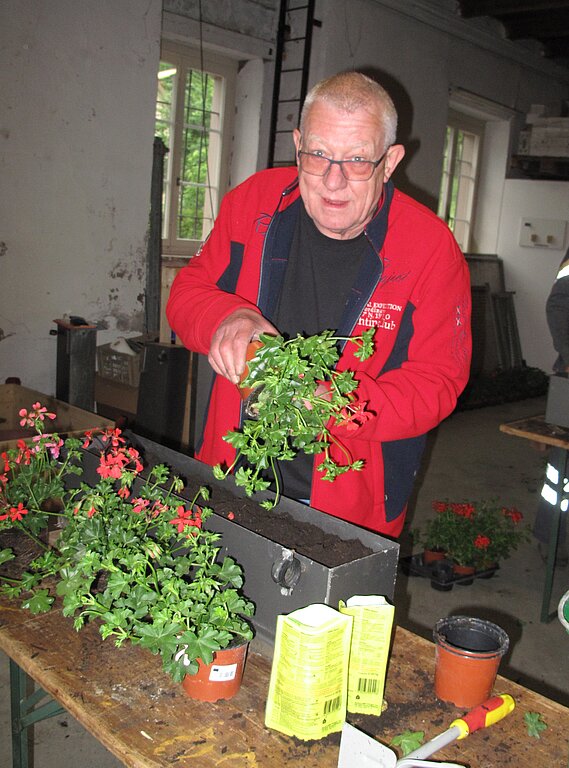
197	303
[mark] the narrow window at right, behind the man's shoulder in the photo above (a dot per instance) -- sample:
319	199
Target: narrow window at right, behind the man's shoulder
459	176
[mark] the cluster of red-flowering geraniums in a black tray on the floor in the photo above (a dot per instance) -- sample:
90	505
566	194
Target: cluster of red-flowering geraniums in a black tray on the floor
478	534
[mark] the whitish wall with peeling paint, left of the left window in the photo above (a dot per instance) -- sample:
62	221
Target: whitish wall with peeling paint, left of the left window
76	139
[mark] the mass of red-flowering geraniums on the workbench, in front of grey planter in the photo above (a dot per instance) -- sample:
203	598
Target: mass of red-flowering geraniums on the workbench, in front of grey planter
131	553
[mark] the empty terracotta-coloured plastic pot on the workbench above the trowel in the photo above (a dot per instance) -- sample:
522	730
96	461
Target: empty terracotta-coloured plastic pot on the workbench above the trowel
468	652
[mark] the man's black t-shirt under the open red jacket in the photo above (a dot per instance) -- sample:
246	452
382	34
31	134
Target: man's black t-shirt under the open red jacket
319	275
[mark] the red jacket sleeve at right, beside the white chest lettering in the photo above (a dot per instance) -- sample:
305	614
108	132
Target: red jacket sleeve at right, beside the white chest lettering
422	387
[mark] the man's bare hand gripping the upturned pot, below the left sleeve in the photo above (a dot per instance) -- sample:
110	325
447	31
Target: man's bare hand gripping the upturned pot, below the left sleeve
229	342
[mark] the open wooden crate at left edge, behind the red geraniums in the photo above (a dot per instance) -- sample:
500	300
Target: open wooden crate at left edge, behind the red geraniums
70	419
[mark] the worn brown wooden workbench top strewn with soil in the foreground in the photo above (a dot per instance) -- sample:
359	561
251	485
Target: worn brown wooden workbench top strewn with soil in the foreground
125	700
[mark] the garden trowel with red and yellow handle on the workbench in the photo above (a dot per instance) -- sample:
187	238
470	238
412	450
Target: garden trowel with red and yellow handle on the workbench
358	750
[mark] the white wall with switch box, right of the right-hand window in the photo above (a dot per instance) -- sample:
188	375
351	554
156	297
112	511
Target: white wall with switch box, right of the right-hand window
530	272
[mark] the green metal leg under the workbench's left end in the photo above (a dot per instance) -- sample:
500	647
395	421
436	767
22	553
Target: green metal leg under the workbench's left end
26	710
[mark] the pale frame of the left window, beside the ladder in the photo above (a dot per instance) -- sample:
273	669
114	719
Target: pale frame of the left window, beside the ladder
185	58
